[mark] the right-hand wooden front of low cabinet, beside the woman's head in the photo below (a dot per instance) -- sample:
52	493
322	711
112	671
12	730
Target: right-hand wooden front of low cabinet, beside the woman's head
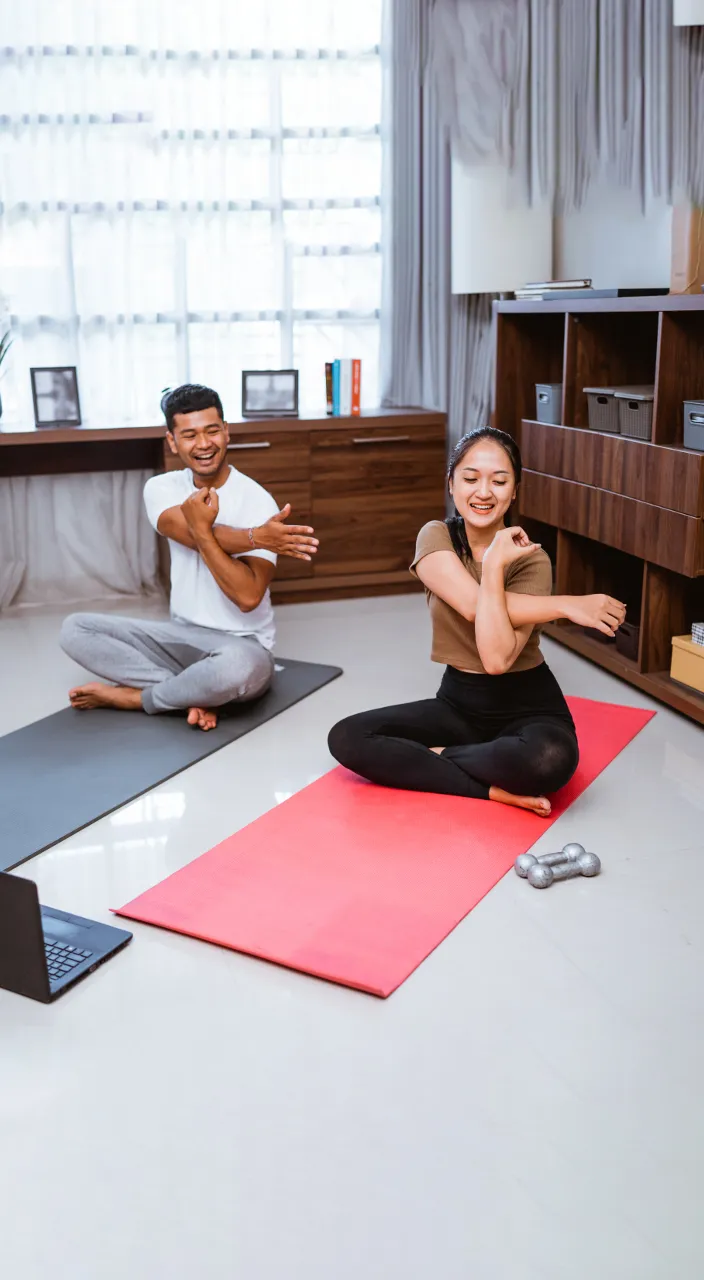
372	492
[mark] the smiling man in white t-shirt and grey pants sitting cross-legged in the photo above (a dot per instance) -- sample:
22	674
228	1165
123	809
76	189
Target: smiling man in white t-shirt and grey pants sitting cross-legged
225	534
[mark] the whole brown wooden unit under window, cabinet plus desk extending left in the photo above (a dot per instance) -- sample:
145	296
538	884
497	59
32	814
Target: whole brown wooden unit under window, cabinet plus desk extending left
368	484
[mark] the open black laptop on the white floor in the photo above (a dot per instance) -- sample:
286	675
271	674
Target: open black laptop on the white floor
43	952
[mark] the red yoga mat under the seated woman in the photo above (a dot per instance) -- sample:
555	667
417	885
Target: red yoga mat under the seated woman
359	884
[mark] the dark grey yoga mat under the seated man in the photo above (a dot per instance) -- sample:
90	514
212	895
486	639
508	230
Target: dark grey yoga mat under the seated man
65	772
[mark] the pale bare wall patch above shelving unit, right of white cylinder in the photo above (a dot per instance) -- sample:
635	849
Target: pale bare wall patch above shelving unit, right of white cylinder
612	241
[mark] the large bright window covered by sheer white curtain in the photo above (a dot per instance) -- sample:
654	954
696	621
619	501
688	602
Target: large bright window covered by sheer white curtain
190	190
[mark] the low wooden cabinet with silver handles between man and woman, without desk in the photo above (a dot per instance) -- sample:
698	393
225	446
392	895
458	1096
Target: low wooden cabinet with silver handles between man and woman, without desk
367	486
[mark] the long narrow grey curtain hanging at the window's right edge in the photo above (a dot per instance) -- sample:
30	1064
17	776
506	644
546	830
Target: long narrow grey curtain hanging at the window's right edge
440	350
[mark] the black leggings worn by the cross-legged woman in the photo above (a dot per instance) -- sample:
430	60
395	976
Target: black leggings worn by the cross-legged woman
511	732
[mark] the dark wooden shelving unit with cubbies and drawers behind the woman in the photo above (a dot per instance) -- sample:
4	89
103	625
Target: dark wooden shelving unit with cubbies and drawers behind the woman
616	515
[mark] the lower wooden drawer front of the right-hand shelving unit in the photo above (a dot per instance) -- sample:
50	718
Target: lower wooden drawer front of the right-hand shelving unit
665	538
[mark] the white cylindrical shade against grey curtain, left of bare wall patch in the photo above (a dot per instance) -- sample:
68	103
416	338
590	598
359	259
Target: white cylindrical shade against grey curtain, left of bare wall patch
497	245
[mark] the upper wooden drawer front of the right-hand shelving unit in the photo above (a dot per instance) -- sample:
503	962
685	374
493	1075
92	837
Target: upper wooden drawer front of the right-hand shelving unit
661	477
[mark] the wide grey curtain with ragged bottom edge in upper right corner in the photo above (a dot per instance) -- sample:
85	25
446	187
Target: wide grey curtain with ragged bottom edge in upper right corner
574	92
